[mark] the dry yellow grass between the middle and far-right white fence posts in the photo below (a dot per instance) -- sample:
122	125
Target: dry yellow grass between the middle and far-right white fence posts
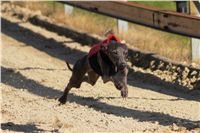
158	42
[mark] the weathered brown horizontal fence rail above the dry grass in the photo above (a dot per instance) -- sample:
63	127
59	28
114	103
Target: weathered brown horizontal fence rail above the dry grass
159	19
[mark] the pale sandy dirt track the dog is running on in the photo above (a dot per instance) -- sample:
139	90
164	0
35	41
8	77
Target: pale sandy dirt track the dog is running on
34	75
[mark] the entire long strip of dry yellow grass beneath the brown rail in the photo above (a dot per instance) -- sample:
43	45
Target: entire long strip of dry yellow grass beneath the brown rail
169	45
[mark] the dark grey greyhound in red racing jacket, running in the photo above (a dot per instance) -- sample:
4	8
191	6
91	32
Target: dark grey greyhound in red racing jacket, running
107	59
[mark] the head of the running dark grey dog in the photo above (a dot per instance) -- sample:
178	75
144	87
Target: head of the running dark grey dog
117	53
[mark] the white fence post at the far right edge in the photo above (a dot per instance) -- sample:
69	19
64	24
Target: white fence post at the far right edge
196	42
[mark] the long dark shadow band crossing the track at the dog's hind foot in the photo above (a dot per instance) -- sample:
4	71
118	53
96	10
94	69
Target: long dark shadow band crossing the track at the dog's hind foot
17	80
